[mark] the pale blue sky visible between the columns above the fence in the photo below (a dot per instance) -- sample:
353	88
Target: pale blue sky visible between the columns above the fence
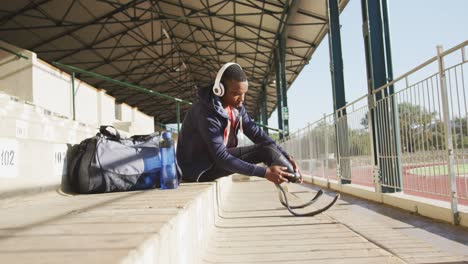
416	28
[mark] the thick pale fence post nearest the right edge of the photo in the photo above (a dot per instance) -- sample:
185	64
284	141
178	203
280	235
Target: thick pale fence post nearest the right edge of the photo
448	138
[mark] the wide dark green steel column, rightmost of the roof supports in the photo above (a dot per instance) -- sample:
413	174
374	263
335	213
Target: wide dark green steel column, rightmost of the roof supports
383	130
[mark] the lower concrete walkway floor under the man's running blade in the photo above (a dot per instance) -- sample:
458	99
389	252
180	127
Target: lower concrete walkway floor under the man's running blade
253	227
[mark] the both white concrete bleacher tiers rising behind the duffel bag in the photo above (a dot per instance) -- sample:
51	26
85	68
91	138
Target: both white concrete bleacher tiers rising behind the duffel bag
37	125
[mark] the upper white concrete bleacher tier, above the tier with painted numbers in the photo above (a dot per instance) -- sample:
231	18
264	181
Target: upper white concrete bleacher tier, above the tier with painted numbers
35	81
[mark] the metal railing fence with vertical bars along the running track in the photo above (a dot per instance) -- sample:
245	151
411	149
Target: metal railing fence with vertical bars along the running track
409	136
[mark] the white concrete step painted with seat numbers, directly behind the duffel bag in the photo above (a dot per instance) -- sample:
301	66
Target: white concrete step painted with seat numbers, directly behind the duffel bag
33	146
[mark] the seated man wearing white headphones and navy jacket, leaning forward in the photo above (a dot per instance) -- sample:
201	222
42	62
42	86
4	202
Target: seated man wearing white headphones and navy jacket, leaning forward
207	145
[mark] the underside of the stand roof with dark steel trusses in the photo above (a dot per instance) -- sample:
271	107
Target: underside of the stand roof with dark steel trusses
169	46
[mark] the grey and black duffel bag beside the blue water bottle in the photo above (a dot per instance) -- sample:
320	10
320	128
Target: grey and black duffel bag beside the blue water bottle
109	163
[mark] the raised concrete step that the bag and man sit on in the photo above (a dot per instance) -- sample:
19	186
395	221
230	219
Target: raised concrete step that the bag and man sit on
155	226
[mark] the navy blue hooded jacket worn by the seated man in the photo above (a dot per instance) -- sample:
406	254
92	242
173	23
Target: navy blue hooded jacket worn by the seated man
200	145
